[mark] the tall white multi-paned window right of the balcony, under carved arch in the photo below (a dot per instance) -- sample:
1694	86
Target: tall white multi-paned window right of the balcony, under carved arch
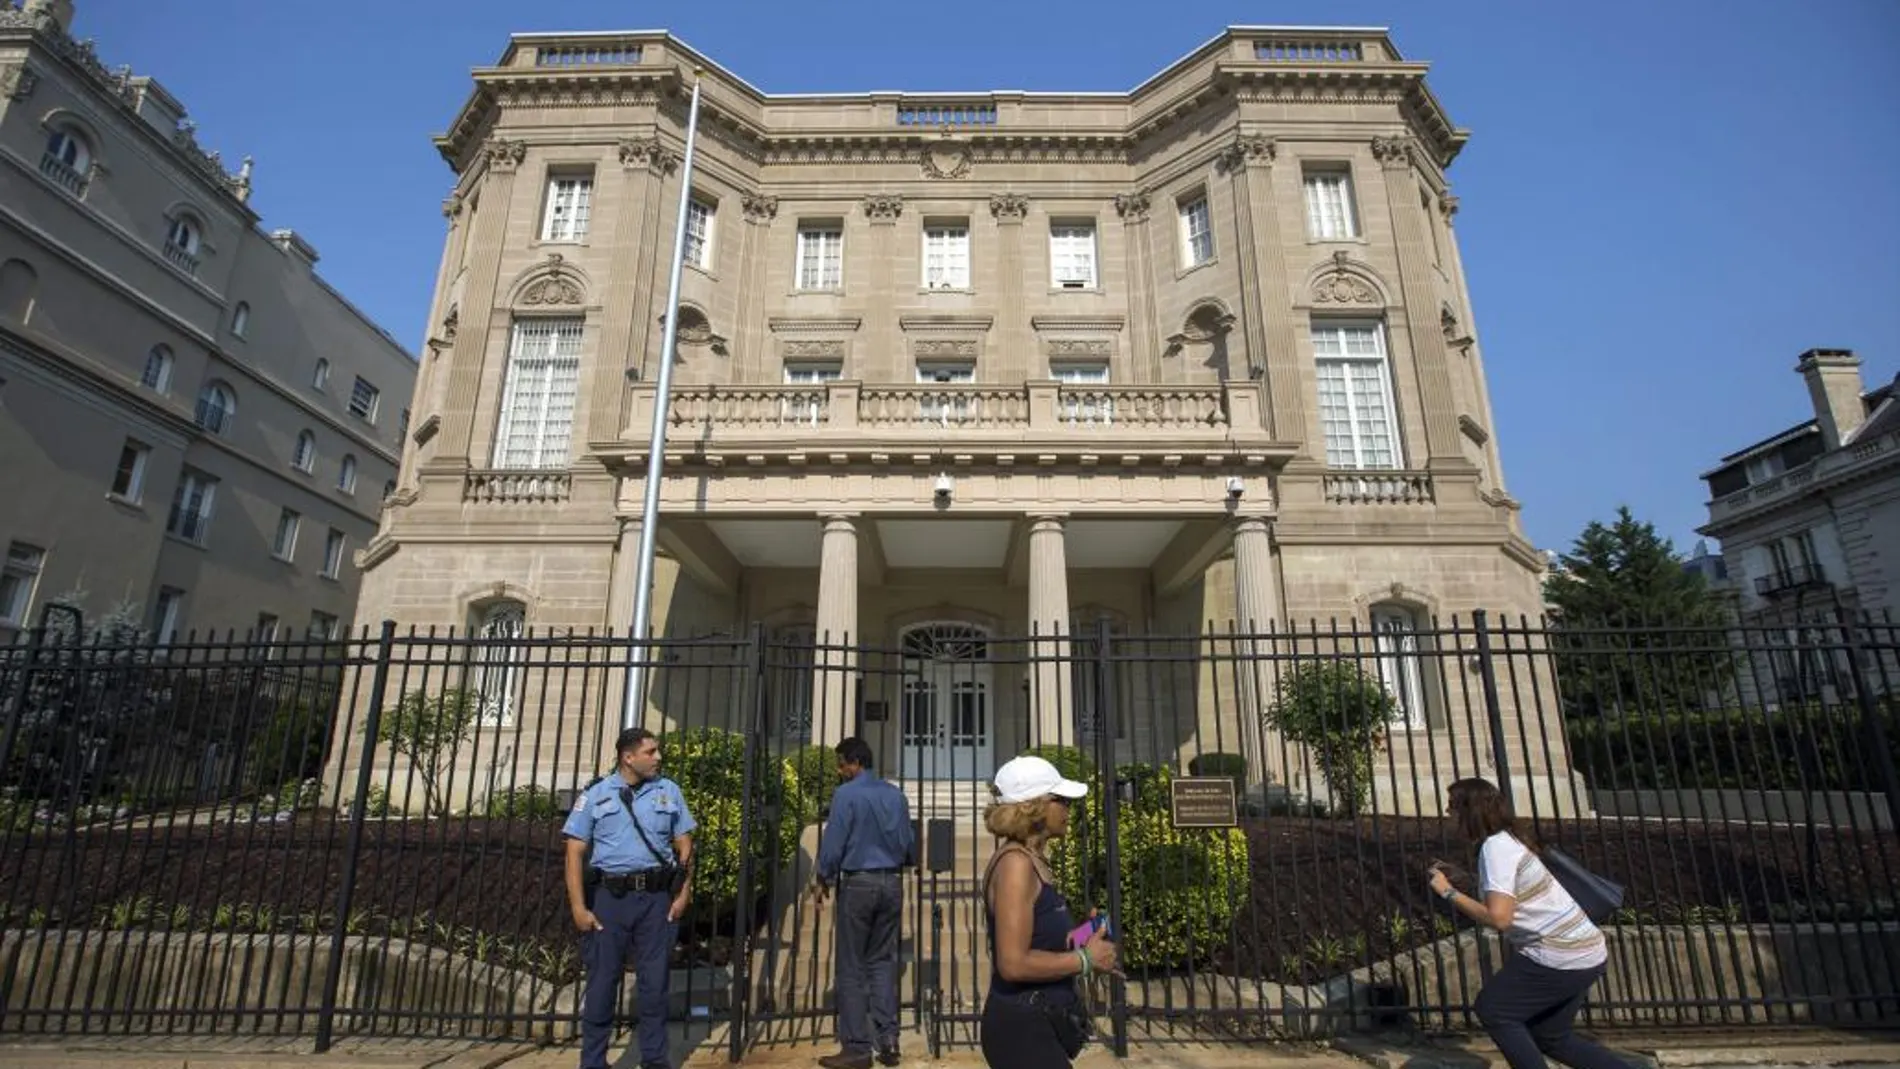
1356	396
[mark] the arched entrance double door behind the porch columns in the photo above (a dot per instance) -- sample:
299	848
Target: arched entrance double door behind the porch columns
949	705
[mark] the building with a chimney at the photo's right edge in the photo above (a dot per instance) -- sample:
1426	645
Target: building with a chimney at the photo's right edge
1810	525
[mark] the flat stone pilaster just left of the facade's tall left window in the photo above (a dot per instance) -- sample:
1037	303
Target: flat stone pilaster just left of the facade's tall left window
480	295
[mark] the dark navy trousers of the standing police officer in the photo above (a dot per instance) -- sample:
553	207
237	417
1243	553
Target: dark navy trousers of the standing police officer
632	928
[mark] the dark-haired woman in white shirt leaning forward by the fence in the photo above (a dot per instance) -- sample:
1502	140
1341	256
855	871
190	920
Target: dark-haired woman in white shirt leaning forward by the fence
1530	1003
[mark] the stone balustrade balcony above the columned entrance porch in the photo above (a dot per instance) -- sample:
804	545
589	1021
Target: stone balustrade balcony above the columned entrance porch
1035	417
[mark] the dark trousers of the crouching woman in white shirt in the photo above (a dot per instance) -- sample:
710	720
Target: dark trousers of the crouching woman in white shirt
1529	1011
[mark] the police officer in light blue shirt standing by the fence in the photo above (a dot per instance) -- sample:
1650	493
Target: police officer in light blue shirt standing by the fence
630	880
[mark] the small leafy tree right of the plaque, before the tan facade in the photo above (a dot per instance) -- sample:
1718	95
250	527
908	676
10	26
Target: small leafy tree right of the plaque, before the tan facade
1339	713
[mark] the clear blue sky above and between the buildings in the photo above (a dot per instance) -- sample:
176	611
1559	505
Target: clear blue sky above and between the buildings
1663	202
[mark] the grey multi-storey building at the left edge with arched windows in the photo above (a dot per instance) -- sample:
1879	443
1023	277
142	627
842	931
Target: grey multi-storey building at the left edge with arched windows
191	421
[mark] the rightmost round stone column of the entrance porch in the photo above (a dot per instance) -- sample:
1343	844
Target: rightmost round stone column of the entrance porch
1257	616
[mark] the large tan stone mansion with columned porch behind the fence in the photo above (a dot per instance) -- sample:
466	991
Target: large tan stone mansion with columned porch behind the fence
960	367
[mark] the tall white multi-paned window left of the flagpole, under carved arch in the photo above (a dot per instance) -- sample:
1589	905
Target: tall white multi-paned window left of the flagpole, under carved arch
544	367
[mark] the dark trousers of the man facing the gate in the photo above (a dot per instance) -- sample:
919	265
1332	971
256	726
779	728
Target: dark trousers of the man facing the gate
871	910
